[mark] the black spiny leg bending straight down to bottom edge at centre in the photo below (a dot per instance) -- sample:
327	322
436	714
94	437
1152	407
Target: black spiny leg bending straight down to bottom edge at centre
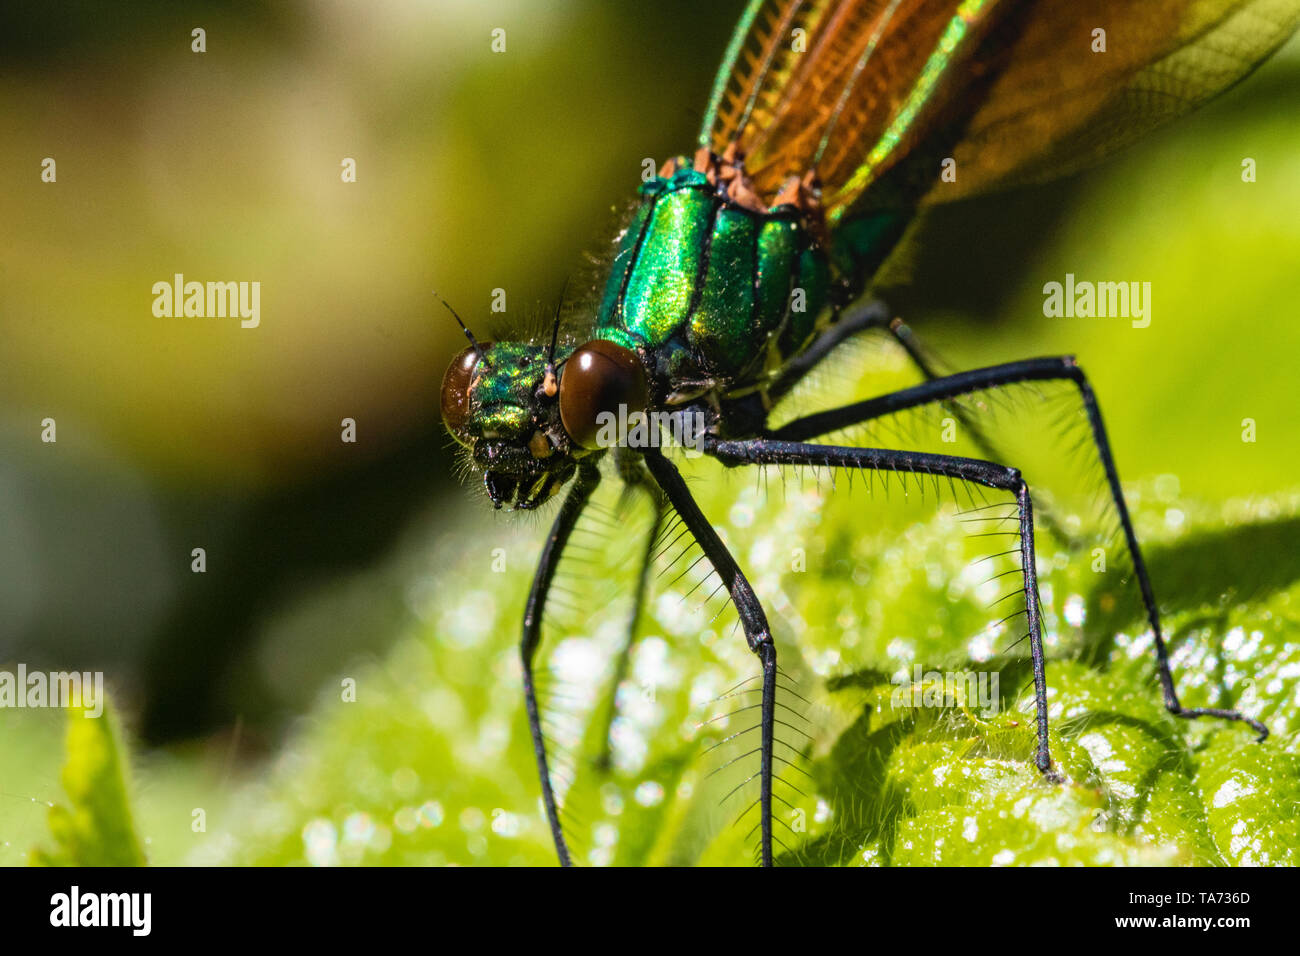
752	618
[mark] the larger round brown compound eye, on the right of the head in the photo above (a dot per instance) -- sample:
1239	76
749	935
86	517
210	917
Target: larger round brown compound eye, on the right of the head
600	379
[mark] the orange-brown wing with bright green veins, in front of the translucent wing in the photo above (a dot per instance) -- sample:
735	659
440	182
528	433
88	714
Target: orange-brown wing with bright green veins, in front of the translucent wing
824	84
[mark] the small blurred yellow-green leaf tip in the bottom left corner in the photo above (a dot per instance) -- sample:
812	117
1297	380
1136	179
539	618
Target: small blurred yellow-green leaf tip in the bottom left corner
96	829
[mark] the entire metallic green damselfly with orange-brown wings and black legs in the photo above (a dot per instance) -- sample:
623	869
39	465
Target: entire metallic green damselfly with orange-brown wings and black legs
746	265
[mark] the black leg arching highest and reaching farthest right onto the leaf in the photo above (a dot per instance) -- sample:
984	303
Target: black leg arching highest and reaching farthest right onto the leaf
1063	369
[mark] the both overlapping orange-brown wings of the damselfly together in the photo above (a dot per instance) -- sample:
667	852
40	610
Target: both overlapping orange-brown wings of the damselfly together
1015	90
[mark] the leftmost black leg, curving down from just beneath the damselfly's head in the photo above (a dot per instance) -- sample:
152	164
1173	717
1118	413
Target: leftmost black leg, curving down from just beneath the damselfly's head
588	479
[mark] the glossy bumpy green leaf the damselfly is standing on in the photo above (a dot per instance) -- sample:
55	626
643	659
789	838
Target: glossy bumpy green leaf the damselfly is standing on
434	762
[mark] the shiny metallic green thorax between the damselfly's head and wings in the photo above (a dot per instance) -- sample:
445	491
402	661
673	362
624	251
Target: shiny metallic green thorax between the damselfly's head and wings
710	289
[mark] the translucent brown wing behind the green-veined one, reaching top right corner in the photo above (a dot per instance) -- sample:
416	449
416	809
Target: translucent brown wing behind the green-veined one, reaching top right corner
1084	79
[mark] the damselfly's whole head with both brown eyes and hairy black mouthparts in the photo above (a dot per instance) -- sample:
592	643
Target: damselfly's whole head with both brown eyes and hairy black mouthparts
527	419
